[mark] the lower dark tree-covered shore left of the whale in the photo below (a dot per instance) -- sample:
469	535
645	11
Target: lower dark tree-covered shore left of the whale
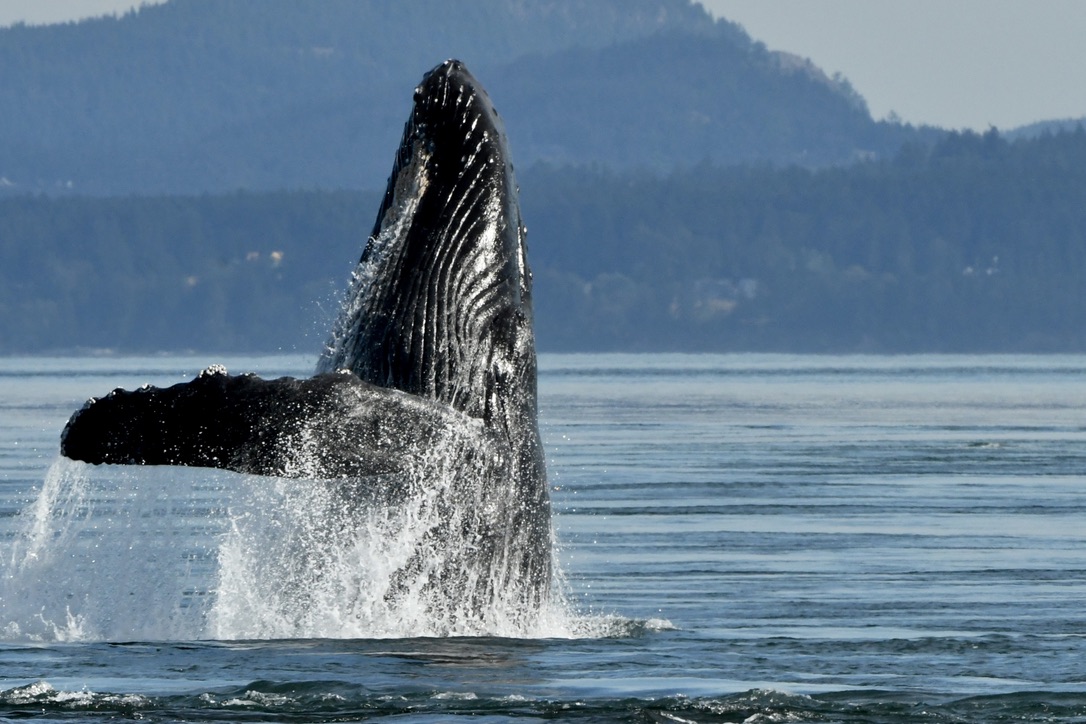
238	272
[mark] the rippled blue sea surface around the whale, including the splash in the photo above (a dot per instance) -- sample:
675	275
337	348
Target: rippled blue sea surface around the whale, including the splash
741	539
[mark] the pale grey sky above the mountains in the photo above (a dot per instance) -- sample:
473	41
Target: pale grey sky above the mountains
950	63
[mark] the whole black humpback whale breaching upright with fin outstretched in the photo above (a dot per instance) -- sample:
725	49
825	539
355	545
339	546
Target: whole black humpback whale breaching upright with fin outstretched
433	357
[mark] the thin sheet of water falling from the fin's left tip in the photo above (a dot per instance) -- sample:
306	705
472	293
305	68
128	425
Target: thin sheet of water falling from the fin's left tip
111	554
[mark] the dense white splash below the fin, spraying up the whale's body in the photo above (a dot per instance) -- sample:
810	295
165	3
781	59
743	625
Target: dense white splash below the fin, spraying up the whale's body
407	555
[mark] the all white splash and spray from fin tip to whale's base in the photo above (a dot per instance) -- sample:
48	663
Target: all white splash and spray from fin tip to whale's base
174	554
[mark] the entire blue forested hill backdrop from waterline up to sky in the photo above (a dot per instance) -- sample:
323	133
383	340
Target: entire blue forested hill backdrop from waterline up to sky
685	187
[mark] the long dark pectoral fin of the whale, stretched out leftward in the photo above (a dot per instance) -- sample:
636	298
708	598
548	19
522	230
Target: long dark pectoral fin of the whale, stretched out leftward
330	426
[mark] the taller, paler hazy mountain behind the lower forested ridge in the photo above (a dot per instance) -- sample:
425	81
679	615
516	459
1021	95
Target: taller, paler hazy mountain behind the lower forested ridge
198	96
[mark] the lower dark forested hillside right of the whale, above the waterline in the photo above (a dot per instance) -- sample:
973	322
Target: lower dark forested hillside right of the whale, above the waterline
977	245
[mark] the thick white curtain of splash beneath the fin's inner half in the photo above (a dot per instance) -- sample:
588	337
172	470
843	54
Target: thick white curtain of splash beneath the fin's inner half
302	561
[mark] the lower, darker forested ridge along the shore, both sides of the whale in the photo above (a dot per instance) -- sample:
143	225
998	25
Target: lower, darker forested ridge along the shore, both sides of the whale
975	245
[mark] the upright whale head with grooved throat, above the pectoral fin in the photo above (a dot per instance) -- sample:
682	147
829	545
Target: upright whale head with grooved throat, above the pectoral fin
440	306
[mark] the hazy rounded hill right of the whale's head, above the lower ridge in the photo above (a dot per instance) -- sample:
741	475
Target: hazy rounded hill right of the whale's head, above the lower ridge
679	98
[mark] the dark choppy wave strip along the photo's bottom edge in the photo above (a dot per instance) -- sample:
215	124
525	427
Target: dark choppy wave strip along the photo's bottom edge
330	701
